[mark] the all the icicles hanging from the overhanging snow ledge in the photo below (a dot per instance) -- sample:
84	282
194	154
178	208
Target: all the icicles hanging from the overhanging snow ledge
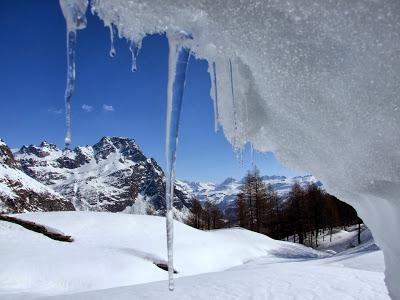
179	54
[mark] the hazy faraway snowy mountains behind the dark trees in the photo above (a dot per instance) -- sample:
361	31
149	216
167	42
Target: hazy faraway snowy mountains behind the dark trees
224	194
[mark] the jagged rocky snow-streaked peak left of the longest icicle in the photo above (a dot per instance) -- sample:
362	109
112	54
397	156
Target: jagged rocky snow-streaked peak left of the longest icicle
113	175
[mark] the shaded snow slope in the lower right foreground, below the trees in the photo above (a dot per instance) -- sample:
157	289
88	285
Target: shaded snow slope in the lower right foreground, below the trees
356	273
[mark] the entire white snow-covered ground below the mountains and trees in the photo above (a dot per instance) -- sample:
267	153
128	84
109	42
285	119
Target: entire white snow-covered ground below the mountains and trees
112	258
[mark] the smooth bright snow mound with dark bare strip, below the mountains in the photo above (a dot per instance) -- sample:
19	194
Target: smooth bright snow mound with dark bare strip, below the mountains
111	250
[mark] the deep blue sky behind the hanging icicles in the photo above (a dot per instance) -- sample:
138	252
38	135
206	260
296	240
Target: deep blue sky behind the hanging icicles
109	99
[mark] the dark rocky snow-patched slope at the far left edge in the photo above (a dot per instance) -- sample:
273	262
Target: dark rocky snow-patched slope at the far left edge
21	193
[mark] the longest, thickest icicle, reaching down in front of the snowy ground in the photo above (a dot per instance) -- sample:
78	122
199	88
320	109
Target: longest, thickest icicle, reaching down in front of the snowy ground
178	62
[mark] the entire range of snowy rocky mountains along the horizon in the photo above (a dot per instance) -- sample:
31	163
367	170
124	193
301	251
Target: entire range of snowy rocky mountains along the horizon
112	175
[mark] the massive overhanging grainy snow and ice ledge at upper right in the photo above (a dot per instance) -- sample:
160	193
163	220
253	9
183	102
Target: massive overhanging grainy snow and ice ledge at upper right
316	82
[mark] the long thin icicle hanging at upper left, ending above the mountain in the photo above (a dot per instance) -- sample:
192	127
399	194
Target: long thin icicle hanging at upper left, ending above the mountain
74	14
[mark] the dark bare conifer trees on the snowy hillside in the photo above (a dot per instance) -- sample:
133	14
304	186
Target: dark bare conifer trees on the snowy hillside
304	215
